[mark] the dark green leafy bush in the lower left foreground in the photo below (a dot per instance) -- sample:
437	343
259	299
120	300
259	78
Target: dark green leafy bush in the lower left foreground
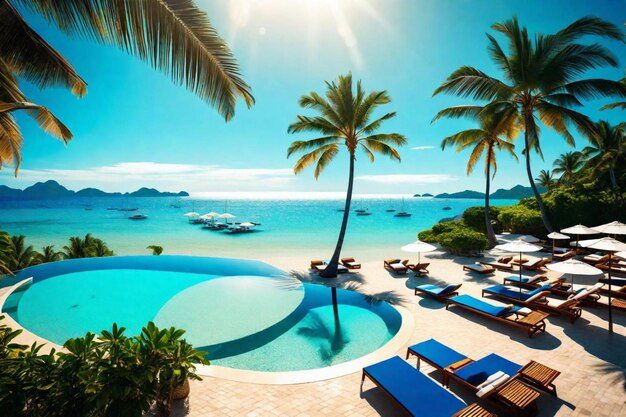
113	375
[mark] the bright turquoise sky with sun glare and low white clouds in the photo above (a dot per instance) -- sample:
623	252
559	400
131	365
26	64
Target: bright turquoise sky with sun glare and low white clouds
136	128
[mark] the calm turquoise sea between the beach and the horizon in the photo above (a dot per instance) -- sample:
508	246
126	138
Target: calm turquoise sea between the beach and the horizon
289	226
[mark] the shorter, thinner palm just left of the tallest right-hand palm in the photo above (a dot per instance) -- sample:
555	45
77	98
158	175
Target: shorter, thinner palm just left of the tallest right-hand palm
496	132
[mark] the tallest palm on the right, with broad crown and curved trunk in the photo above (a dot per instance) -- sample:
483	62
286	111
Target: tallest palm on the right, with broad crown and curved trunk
542	81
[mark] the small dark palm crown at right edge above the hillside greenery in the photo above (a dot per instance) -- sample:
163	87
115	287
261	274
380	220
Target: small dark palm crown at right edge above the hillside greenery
607	149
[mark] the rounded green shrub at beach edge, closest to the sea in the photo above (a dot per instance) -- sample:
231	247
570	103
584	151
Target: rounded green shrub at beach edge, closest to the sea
456	237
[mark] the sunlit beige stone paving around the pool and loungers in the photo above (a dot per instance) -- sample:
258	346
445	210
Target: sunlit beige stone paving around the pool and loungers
592	362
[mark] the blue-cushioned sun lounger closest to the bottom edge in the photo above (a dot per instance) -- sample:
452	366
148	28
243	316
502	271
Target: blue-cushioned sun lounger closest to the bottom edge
416	393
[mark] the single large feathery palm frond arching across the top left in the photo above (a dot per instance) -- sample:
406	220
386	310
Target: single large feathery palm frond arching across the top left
173	36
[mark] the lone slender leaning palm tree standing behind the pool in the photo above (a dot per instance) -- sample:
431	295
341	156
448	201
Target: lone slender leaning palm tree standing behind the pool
345	119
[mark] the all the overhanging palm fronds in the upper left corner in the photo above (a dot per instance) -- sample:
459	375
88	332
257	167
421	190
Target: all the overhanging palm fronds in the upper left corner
173	36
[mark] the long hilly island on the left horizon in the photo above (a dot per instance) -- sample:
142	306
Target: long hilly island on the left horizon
53	190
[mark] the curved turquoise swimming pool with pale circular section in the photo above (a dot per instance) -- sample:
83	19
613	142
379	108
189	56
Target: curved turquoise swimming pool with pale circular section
244	314
